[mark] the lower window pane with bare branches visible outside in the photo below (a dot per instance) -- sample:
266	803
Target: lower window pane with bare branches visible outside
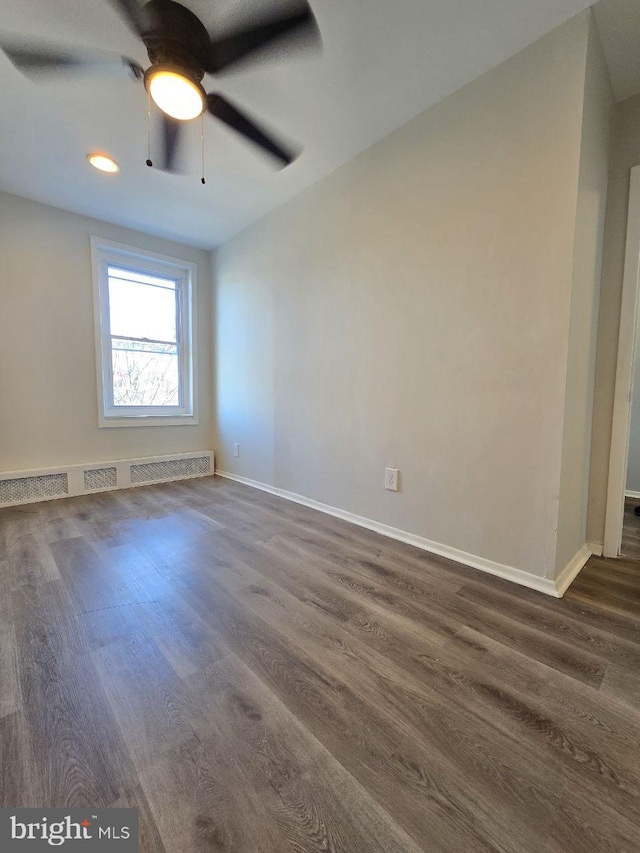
145	374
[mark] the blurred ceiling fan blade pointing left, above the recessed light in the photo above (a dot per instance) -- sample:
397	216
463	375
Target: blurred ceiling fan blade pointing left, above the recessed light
34	62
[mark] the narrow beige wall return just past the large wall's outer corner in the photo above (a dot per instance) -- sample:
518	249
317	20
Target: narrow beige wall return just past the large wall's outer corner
585	298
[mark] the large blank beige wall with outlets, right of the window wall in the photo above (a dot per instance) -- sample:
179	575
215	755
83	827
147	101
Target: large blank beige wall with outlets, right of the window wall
412	310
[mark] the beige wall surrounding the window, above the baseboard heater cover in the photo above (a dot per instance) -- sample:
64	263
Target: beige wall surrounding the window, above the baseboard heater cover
48	398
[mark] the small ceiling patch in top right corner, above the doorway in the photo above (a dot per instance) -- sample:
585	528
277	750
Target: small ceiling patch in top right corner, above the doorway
619	27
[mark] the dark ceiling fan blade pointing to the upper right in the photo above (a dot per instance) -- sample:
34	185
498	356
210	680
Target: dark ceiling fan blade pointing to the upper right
299	23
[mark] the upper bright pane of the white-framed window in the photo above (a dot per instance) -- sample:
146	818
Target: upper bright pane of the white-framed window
142	310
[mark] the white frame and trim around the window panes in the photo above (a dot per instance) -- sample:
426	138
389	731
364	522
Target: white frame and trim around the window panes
103	254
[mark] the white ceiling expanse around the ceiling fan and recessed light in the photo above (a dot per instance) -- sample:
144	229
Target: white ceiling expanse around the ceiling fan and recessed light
383	63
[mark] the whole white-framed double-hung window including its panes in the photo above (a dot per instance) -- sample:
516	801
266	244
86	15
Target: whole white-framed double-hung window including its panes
144	337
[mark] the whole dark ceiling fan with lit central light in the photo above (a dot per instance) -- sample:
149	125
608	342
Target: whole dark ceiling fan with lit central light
181	52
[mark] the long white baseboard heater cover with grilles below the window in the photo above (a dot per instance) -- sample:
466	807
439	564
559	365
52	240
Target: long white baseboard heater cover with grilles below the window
22	487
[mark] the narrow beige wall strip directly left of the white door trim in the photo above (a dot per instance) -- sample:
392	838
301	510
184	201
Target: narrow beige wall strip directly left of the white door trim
625	155
